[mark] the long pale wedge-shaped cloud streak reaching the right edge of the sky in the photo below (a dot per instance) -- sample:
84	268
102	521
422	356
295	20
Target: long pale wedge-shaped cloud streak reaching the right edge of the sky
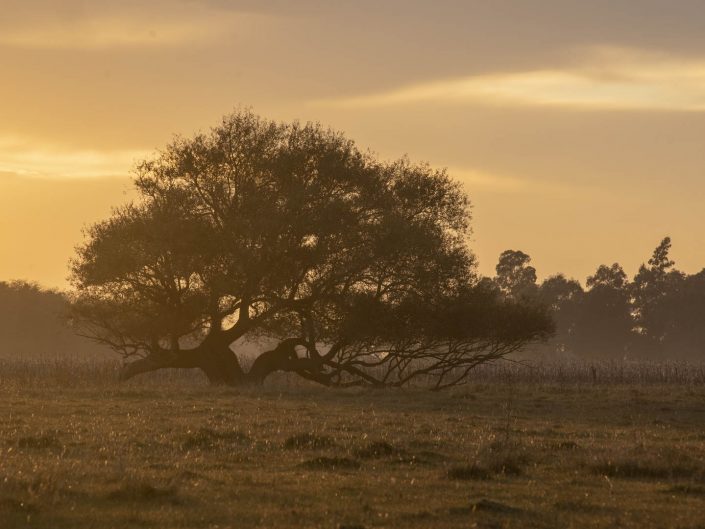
605	79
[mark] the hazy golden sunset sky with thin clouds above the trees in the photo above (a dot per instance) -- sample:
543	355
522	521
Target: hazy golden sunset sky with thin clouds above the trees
577	127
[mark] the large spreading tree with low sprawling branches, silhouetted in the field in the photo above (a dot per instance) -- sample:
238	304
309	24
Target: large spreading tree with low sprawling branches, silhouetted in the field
354	271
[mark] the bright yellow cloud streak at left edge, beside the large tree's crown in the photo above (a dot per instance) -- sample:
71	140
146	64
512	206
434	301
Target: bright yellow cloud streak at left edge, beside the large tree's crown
19	156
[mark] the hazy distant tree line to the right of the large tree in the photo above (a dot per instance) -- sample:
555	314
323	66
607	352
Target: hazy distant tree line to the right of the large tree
658	315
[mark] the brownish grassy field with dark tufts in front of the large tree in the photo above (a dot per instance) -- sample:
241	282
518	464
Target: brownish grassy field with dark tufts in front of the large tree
580	450
